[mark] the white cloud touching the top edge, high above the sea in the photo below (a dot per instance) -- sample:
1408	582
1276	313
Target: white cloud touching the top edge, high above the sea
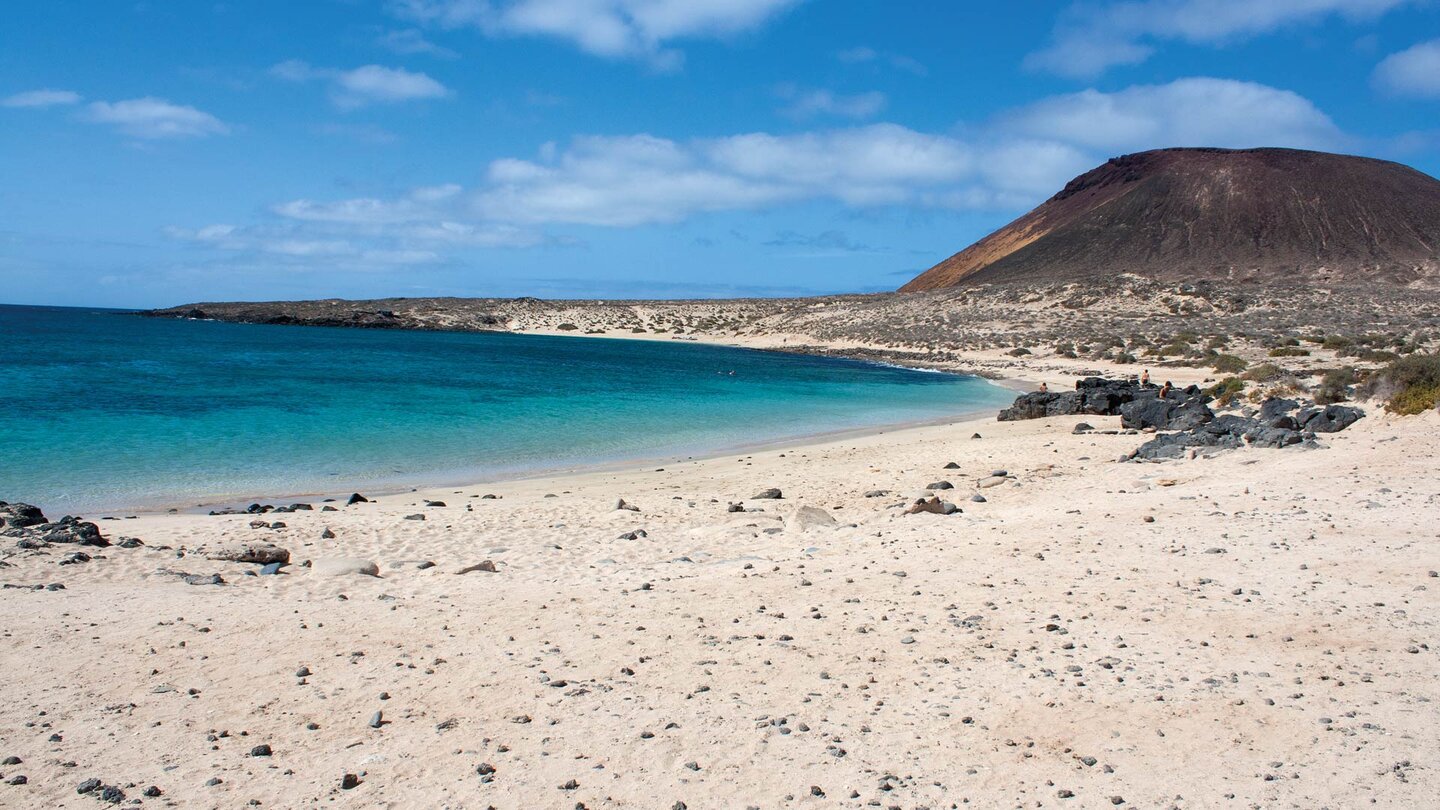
604	28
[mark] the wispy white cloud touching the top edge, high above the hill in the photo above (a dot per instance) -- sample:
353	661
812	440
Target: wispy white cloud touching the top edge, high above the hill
1094	38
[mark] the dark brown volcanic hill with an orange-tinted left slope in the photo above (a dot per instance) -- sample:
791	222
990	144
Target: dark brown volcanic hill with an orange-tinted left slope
1266	215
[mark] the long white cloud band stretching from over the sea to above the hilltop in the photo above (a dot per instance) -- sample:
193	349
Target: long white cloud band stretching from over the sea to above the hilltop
633	181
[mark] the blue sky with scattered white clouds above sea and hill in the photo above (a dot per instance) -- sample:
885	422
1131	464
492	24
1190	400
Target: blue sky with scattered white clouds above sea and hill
172	151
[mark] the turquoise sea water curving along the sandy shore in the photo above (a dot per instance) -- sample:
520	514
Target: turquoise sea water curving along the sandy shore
106	410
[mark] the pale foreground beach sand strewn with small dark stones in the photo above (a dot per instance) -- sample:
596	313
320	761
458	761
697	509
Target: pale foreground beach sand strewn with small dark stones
1249	631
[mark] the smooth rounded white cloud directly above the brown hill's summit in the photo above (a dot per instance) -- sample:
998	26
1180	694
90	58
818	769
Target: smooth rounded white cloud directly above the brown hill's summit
1197	112
